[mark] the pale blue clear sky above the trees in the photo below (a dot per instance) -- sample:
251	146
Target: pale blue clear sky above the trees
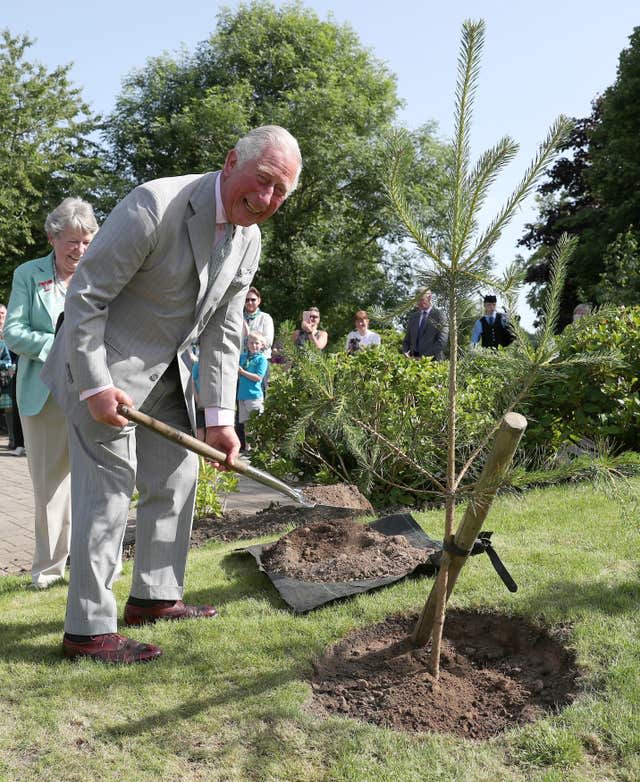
541	59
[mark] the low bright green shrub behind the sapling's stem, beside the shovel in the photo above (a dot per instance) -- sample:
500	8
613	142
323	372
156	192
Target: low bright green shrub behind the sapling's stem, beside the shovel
318	407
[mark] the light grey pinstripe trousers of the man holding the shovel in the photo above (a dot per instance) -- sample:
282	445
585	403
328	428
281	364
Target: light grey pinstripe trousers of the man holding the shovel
112	462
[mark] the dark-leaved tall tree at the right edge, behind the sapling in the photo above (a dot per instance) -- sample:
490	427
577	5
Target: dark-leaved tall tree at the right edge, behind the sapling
594	193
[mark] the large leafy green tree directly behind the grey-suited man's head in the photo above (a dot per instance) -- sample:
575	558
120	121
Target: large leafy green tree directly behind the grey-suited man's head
334	244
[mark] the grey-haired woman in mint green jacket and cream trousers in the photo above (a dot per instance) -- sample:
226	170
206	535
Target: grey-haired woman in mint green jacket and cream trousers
37	300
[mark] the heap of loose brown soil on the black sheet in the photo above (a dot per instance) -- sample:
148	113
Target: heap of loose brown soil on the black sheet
341	550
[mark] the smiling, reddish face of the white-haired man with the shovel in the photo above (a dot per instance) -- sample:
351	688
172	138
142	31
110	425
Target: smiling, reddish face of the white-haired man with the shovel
254	190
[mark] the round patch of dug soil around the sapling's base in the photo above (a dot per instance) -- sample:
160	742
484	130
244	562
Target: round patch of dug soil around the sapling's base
497	672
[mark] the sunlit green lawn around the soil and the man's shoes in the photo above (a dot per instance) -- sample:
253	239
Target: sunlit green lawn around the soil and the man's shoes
227	699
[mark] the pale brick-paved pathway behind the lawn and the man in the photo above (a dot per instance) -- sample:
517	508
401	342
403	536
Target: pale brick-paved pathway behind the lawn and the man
16	509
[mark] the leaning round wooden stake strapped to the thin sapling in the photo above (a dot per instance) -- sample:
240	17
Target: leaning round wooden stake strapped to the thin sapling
495	468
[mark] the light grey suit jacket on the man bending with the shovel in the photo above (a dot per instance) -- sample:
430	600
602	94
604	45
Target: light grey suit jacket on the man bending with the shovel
147	287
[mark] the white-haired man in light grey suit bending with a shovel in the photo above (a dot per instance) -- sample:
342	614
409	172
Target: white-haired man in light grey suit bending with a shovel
172	264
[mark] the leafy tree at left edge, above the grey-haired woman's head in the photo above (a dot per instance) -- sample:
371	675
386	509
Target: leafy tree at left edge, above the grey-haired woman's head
46	151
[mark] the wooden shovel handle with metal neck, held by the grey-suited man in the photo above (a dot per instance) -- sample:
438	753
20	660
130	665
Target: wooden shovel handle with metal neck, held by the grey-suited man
202	449
